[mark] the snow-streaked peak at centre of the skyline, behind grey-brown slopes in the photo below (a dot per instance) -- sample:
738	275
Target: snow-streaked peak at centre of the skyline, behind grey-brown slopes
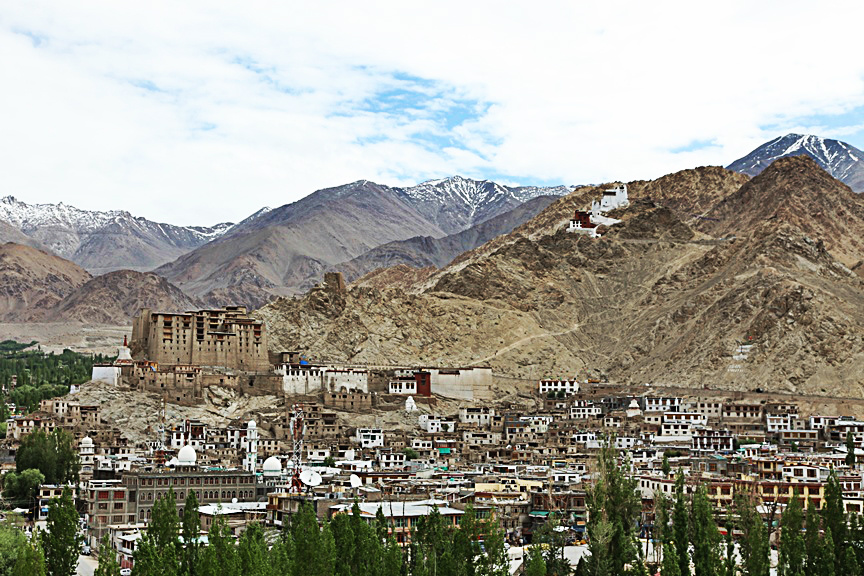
457	203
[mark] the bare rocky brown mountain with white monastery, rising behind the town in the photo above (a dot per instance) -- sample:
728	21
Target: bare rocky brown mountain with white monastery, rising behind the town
662	297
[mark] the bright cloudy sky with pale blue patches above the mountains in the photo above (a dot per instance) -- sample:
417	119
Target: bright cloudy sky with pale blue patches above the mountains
203	112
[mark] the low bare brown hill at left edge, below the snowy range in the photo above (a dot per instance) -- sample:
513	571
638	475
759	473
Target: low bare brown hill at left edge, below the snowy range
33	282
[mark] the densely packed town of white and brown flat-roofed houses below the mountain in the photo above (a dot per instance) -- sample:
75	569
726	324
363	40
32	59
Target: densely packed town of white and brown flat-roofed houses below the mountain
517	462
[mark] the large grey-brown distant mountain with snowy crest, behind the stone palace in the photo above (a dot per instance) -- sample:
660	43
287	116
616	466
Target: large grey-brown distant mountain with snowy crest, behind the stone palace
286	250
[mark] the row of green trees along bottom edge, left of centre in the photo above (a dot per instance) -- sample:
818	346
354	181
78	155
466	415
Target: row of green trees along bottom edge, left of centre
346	545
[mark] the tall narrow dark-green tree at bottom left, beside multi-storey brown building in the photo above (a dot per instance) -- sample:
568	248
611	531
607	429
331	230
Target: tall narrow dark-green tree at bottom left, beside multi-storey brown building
61	541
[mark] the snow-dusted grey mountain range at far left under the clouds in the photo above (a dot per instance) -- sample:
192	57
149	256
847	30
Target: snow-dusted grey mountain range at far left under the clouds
103	241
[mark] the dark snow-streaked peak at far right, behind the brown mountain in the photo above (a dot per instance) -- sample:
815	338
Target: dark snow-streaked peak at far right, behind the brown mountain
843	161
